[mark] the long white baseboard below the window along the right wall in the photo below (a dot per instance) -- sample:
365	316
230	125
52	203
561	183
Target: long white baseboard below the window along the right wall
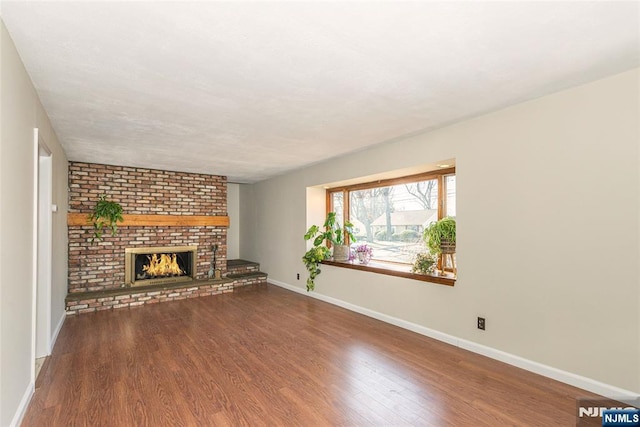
584	383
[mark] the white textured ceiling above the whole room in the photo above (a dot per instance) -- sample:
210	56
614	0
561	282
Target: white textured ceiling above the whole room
252	90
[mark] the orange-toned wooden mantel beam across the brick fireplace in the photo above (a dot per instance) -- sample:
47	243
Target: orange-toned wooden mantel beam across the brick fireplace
75	218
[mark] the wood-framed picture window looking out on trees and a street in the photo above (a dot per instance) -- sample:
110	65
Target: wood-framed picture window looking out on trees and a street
391	215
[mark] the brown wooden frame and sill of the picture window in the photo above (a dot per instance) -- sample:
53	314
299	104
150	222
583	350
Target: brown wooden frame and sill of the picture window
379	266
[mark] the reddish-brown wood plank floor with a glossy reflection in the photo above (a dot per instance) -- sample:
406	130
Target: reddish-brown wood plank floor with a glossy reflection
268	356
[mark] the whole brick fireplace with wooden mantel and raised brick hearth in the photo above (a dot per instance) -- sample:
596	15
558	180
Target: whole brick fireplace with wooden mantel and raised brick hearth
165	213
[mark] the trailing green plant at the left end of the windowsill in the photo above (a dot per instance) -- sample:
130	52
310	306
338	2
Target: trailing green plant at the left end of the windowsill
331	232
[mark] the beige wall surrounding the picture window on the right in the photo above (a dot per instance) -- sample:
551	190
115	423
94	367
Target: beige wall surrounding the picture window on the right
548	225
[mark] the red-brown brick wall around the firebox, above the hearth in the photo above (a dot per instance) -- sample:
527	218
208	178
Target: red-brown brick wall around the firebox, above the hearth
100	266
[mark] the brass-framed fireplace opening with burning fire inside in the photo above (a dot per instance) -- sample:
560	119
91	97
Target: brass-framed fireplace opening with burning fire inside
148	266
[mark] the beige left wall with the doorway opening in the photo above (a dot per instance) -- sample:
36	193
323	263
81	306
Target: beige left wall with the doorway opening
21	112
